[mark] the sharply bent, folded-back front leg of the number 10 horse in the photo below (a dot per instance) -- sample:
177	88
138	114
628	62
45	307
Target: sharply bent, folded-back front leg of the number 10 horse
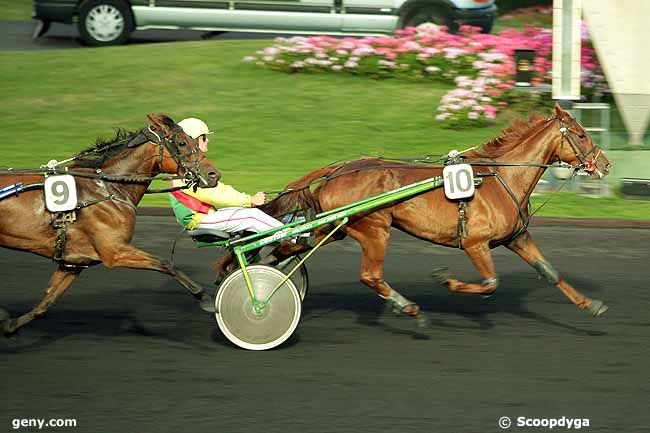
480	255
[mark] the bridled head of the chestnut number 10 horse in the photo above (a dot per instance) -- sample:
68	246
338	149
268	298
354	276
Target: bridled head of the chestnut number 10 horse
575	146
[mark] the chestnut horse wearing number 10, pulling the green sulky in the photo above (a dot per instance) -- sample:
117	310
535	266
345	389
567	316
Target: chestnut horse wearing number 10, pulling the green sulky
496	215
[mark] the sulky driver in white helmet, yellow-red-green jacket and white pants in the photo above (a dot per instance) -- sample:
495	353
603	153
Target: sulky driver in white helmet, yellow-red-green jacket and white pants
220	208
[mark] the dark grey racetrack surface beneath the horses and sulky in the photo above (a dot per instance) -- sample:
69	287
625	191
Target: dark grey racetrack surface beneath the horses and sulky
129	351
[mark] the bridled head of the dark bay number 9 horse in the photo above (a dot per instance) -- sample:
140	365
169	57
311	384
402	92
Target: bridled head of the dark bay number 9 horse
180	154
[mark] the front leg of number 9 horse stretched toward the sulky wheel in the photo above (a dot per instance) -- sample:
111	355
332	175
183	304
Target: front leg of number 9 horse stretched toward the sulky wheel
128	256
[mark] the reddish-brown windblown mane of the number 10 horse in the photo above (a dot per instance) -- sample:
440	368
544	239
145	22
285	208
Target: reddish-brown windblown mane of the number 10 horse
512	136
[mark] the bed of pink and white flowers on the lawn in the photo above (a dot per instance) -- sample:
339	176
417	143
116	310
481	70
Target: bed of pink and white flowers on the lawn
481	66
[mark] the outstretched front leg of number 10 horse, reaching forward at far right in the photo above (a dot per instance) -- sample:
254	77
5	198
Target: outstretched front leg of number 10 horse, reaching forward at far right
525	247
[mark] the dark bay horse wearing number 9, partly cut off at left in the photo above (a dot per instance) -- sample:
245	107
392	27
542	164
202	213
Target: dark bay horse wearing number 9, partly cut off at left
110	179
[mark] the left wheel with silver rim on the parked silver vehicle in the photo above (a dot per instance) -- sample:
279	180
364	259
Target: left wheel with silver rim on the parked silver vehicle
105	22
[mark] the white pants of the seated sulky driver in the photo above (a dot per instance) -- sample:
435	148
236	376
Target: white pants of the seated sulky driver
238	219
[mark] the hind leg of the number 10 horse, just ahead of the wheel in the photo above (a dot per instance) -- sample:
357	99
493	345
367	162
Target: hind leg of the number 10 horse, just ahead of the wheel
374	242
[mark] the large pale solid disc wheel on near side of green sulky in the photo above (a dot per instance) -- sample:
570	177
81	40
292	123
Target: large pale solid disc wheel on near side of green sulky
236	315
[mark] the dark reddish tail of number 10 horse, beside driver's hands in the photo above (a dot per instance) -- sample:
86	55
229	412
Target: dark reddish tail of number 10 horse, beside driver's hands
297	195
